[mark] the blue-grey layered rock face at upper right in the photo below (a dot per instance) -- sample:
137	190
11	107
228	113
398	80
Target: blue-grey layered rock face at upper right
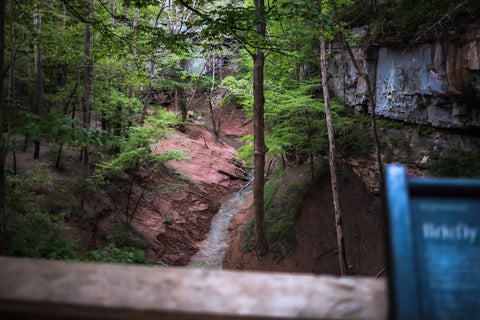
435	83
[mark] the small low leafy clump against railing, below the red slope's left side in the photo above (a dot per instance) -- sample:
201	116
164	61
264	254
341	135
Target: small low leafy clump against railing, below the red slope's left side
112	254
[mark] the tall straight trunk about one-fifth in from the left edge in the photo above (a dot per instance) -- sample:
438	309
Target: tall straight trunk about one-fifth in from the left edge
87	85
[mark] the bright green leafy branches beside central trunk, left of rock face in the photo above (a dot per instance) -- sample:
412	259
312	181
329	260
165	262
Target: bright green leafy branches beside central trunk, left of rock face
295	120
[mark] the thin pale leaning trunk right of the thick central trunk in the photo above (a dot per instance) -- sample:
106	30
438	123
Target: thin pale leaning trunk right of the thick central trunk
331	159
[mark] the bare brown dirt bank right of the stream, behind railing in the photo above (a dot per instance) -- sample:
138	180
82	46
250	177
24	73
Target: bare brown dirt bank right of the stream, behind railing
315	250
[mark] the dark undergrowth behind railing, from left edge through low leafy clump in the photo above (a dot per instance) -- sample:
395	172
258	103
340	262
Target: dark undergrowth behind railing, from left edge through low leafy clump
35	223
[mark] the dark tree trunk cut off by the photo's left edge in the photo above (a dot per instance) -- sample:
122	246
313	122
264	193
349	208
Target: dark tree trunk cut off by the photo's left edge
3	151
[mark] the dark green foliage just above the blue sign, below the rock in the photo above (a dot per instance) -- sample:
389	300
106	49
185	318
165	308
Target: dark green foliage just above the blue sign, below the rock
454	163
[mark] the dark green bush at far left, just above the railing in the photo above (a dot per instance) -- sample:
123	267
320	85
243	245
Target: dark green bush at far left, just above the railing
31	228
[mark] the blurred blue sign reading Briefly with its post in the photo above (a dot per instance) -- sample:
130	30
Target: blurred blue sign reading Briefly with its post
434	235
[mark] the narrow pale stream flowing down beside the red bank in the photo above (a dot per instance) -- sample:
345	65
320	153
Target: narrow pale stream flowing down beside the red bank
212	250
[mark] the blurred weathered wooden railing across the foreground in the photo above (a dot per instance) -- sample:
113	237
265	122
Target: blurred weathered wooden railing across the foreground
40	289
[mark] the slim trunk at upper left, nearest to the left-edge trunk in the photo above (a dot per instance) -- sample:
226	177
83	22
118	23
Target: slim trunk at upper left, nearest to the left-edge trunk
39	91
